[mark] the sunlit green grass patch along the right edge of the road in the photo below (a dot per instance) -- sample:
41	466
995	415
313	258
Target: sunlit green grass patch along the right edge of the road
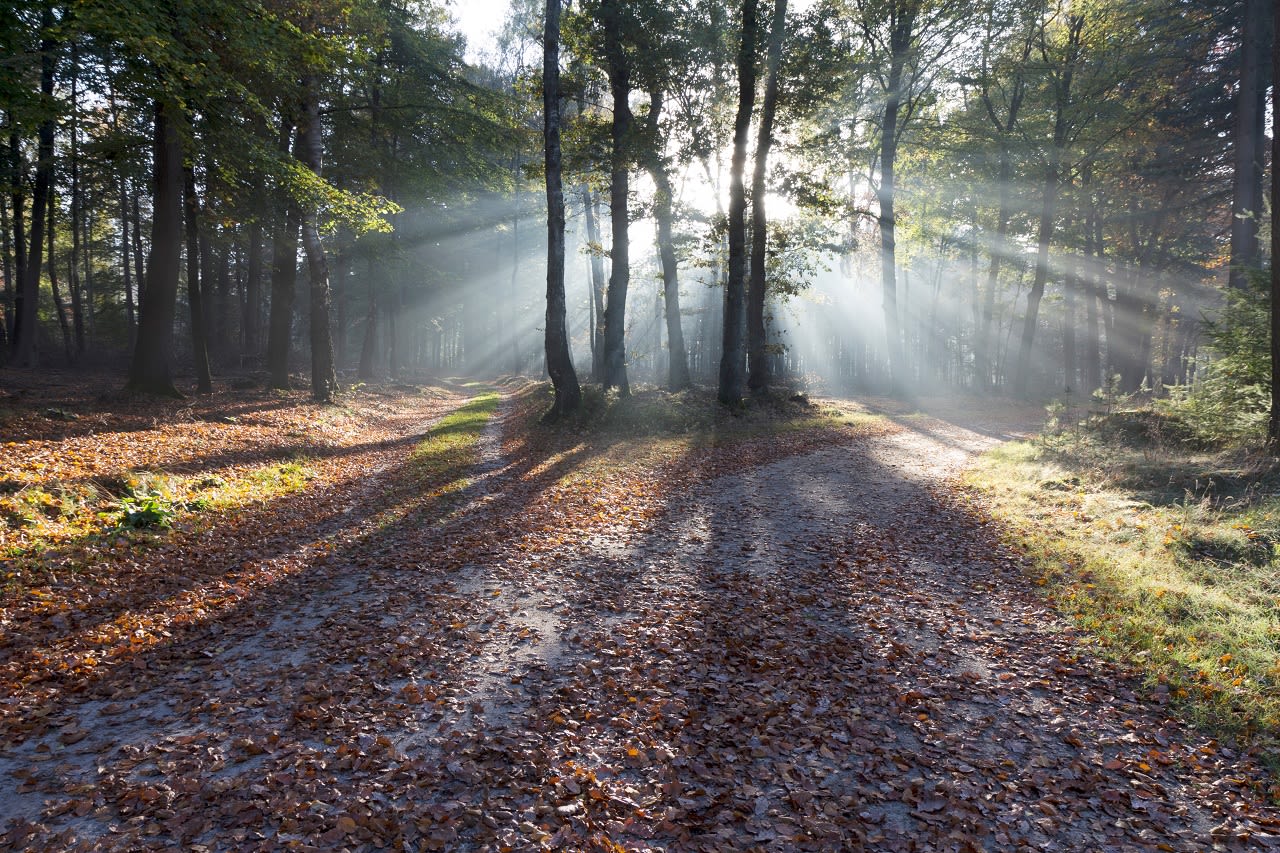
1165	554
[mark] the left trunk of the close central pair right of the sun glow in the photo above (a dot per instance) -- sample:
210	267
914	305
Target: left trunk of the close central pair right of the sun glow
733	368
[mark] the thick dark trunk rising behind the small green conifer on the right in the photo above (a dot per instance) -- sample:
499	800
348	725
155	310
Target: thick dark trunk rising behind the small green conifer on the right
1249	145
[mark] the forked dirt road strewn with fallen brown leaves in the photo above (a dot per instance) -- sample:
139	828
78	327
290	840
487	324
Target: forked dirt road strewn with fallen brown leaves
816	654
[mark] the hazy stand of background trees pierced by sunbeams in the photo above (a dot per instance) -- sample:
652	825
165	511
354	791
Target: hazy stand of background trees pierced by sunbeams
1011	198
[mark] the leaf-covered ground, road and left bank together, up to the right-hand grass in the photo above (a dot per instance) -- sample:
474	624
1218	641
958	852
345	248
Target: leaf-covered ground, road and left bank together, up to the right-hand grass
660	627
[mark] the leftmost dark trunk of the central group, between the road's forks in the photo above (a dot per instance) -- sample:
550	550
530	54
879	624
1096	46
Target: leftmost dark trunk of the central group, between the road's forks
560	363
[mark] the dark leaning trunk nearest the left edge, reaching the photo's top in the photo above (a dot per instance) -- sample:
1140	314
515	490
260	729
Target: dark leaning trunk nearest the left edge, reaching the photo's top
26	321
